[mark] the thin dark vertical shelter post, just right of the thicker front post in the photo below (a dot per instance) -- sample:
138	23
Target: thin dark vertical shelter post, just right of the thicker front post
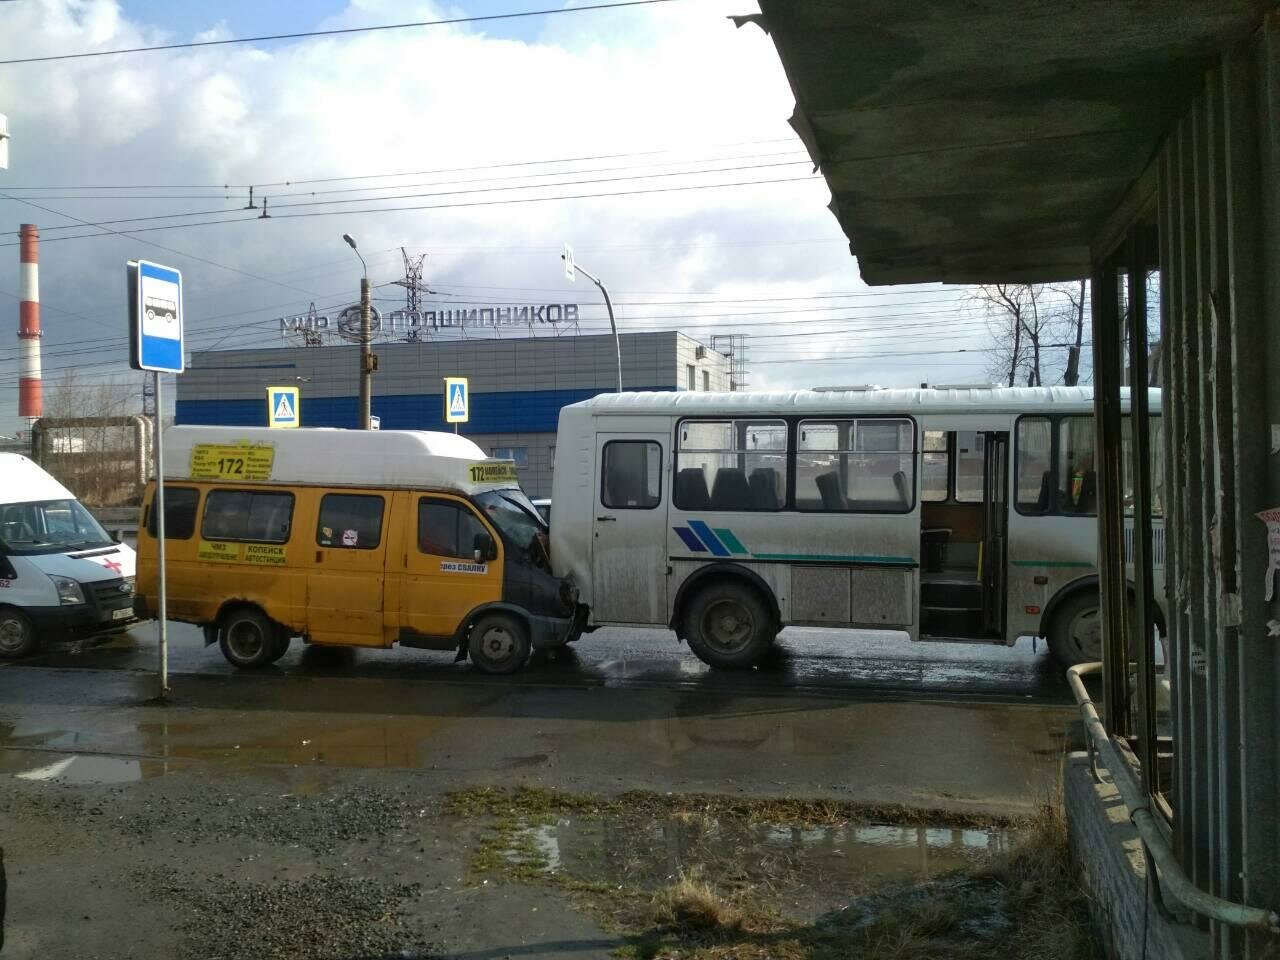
1142	648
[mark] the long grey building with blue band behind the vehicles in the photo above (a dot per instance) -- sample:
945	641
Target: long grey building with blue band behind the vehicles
518	386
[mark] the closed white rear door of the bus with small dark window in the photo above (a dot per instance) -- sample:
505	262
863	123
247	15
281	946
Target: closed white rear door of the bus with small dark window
629	543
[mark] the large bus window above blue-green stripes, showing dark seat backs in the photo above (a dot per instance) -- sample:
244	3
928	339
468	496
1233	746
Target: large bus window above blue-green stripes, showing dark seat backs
738	465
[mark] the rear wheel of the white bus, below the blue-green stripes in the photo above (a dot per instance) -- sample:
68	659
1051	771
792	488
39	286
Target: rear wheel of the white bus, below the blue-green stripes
729	627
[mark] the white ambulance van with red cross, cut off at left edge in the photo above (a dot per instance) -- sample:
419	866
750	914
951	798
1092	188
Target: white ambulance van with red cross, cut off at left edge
61	573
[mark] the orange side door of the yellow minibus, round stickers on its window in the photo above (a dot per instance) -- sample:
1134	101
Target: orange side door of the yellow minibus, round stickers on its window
345	587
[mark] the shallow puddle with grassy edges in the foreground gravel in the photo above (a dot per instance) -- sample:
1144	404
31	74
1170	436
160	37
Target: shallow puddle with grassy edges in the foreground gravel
812	867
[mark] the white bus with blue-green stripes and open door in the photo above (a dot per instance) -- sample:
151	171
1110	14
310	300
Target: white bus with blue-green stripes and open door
953	515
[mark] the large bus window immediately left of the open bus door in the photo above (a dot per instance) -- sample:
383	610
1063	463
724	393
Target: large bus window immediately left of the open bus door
856	465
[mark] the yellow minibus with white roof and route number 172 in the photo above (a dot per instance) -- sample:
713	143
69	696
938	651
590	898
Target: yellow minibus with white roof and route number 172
353	538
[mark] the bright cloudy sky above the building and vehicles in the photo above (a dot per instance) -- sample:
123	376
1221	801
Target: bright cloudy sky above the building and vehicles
655	139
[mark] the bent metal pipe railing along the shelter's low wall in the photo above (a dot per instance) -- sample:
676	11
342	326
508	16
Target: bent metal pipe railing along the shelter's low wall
1177	885
